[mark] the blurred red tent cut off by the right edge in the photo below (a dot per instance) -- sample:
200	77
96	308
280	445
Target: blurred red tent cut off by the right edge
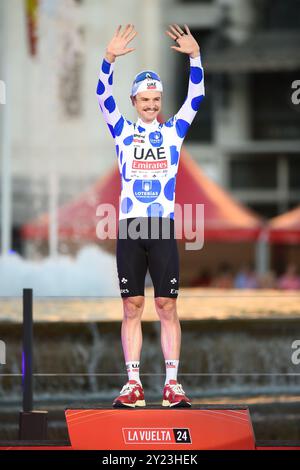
285	228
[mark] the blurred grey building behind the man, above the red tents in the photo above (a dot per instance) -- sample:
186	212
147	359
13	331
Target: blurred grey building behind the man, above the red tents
246	135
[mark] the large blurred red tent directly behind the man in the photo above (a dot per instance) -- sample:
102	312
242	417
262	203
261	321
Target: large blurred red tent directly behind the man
224	218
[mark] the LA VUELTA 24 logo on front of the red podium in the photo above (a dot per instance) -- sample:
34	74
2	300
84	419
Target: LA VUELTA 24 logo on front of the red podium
156	435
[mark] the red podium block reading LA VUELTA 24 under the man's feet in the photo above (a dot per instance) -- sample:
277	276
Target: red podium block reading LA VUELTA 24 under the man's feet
199	427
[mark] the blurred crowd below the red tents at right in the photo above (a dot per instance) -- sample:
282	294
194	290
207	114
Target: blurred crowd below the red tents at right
247	278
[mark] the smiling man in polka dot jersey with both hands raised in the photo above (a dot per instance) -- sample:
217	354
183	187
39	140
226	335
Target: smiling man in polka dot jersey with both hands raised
148	156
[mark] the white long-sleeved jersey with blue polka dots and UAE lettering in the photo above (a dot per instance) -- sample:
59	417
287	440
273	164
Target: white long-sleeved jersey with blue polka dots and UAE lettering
148	154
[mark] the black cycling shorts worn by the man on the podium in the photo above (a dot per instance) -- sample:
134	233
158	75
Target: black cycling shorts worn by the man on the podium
147	243
